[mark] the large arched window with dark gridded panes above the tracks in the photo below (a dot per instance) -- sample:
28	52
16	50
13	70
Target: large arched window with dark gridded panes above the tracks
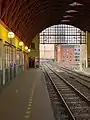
62	34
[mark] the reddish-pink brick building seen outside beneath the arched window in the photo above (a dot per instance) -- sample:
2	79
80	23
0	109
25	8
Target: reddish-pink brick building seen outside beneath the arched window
66	53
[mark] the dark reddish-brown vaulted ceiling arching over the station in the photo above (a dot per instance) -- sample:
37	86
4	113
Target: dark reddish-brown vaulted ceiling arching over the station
26	18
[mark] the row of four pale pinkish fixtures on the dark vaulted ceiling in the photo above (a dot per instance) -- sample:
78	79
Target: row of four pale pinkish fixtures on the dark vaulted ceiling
71	11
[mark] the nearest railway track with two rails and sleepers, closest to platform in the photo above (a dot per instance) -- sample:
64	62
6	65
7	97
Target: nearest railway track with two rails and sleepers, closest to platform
77	104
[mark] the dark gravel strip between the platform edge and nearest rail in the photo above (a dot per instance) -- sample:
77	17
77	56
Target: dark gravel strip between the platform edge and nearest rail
59	109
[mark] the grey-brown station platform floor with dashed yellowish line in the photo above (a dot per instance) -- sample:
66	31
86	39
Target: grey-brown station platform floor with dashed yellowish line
26	98
